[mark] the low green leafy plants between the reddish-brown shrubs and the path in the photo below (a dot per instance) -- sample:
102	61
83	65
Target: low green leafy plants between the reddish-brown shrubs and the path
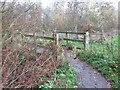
65	77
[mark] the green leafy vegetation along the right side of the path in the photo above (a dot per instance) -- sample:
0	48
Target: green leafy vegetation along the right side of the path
105	58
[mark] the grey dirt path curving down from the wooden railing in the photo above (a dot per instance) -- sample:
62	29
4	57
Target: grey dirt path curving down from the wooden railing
87	76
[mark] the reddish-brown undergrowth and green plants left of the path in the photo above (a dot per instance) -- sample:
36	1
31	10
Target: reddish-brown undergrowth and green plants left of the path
23	67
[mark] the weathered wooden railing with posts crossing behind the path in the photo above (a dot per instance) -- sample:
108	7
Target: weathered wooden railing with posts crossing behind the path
56	37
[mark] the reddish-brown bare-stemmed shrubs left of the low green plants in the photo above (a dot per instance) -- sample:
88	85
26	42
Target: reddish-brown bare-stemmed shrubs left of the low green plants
24	68
